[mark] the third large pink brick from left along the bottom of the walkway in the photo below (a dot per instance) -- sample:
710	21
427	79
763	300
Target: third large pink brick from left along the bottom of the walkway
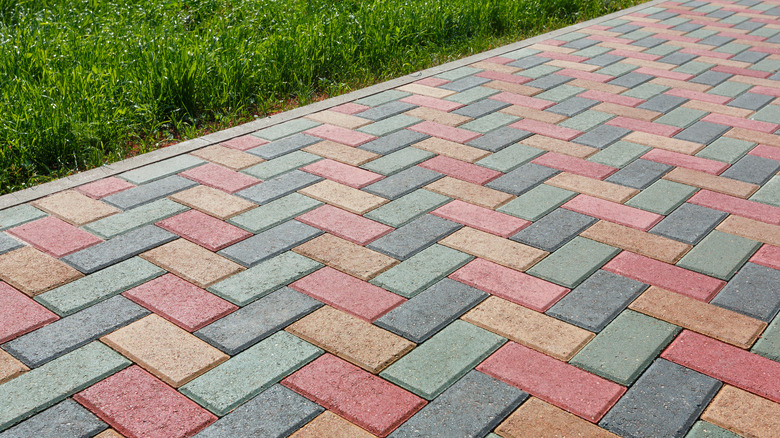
566	386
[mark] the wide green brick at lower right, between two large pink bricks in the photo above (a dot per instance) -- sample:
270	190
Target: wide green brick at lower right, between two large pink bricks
625	347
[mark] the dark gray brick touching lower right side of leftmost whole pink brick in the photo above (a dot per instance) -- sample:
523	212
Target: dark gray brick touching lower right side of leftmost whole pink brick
120	248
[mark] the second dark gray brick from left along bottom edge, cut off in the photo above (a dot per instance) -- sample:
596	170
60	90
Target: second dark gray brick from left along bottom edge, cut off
275	412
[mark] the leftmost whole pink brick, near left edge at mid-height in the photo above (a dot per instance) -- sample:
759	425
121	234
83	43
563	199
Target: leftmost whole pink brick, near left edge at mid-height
54	236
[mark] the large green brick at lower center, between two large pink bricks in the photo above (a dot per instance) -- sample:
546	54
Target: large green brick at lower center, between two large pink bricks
440	361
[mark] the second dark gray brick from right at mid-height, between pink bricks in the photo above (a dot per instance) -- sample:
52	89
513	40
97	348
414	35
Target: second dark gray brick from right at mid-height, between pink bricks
554	230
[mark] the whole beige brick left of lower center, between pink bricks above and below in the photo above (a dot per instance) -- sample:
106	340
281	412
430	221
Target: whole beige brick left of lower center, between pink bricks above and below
351	338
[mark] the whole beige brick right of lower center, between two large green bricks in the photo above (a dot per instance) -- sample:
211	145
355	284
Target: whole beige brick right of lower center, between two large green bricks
533	329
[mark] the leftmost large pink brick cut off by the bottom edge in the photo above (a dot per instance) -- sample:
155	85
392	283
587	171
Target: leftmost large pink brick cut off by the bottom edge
137	404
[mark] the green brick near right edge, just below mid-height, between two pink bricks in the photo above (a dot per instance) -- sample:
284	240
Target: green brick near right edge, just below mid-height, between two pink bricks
719	255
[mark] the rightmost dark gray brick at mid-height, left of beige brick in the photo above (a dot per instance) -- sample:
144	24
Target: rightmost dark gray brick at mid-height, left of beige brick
689	223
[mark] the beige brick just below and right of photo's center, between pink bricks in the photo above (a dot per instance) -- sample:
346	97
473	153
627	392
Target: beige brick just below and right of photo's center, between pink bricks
494	248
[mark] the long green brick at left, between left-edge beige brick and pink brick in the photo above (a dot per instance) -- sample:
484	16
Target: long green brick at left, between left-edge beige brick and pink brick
101	285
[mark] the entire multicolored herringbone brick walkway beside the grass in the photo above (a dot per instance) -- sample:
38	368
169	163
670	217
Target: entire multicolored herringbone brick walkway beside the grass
580	237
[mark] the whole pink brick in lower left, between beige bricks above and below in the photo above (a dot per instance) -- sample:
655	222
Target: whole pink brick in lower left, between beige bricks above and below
180	302
